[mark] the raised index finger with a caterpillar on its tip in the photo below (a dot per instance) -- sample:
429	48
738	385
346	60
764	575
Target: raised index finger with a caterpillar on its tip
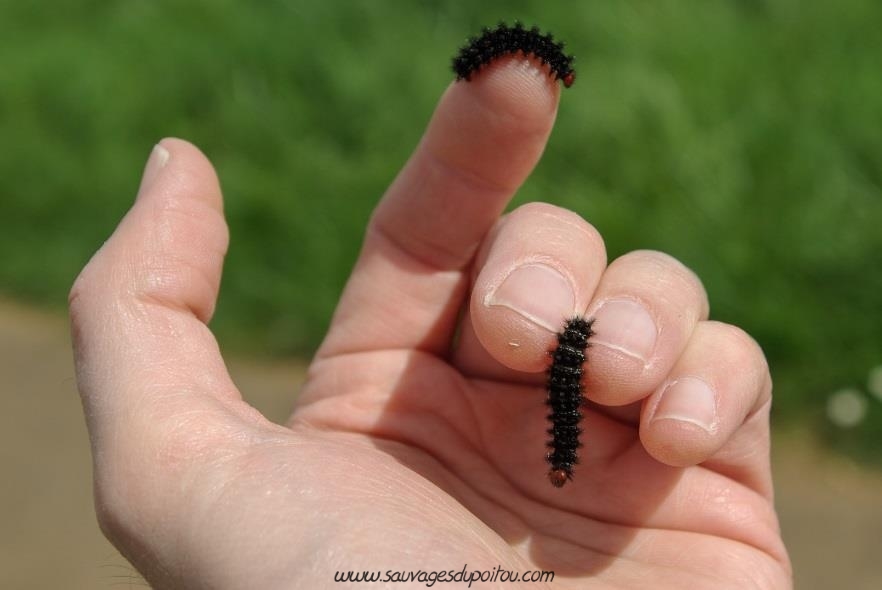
410	279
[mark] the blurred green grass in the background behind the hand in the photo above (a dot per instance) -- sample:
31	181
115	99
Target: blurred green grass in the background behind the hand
743	137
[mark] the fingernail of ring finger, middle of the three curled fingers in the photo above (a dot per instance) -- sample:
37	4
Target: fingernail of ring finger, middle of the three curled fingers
625	325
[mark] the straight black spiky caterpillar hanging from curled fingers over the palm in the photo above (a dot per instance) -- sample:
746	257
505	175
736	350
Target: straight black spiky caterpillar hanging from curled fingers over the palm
565	398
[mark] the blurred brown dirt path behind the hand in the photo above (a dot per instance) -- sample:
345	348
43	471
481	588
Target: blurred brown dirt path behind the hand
831	511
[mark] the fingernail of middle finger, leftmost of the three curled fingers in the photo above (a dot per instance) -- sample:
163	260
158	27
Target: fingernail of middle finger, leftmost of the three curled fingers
538	292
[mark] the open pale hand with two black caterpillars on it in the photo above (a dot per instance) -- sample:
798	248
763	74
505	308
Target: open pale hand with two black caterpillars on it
418	440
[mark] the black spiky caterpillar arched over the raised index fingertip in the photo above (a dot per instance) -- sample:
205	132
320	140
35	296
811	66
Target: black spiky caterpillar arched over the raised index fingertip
504	40
